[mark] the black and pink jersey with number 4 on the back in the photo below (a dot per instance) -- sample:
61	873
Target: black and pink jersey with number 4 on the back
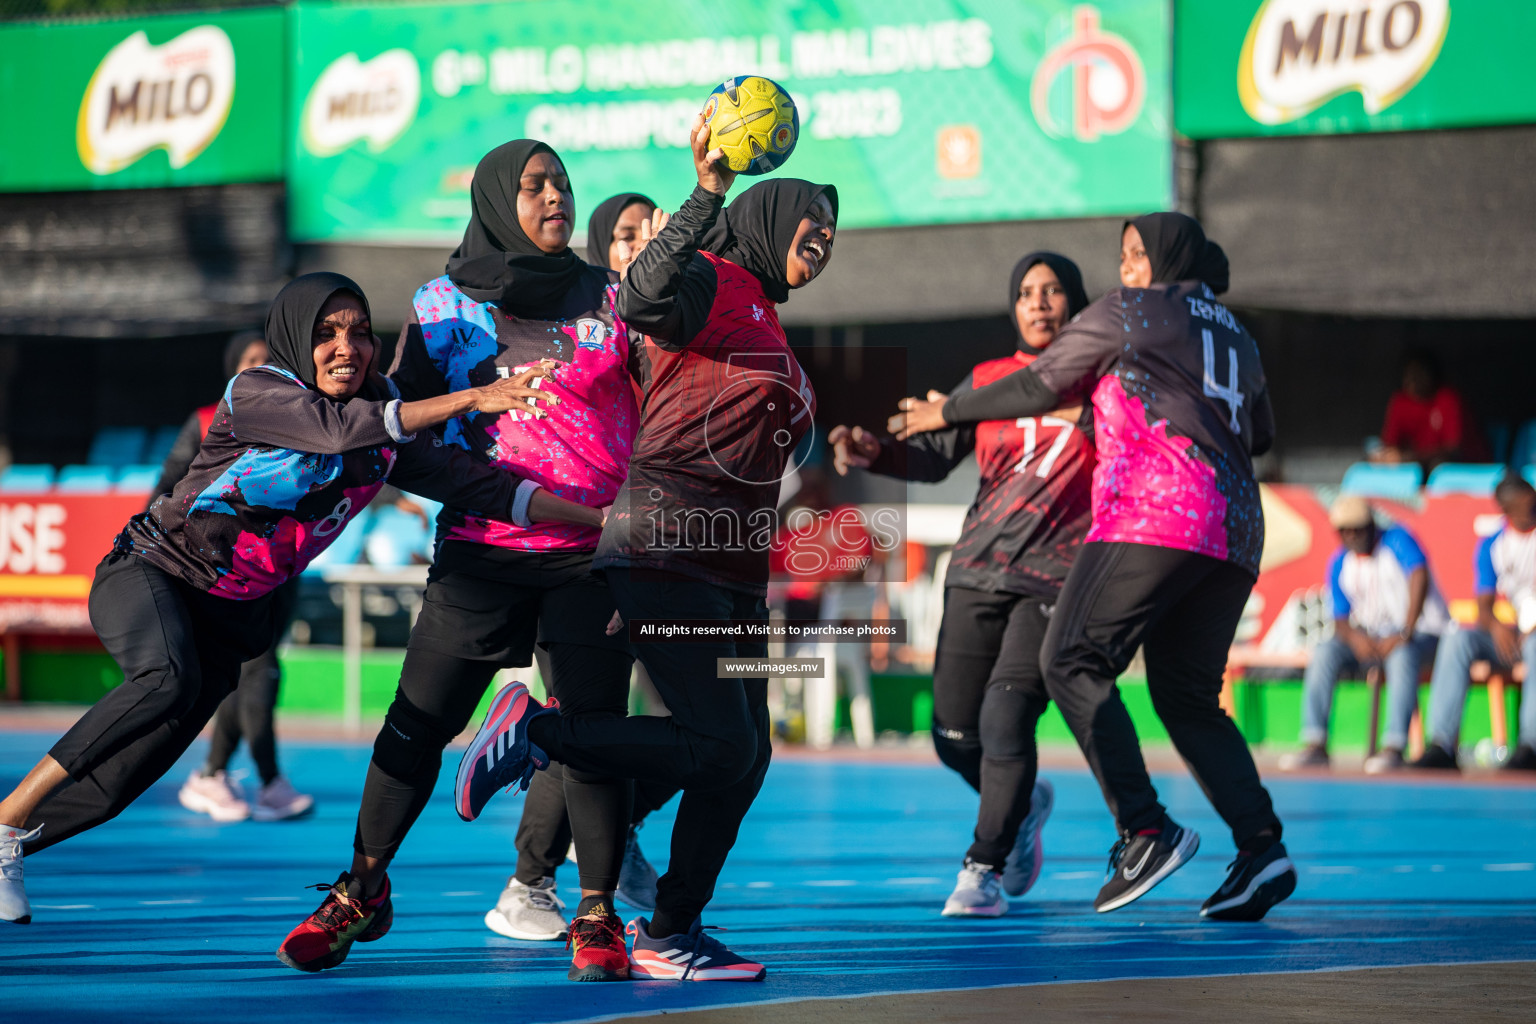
1180	408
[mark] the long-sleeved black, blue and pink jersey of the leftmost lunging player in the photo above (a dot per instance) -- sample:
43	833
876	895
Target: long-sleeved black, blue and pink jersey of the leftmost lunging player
282	471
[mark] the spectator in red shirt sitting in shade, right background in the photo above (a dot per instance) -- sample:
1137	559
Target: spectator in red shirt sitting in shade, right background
1428	421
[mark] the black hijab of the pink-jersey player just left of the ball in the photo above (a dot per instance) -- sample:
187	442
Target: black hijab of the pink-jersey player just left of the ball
497	262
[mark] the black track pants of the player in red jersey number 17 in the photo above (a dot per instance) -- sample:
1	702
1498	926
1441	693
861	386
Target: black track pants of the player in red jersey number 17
988	698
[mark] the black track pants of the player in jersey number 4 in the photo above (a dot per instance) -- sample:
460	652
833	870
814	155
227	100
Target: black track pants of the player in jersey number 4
1183	610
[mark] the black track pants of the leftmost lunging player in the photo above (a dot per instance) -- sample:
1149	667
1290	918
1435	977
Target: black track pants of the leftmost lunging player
180	653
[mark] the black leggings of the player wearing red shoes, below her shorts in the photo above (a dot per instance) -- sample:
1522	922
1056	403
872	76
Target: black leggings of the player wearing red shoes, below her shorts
434	704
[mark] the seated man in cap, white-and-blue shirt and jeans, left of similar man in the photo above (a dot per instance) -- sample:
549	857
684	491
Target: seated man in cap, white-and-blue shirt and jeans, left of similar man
1386	613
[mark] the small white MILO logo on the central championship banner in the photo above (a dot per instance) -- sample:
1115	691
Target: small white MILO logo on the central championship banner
354	101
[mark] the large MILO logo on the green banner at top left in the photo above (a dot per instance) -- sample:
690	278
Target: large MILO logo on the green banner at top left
142	97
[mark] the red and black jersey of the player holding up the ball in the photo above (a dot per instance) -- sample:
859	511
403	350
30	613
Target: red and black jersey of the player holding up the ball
726	406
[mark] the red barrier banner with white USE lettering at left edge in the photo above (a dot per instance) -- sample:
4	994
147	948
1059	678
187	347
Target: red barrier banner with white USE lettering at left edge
50	547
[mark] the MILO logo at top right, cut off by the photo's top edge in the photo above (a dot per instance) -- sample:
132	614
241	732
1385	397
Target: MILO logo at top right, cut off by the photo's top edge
1300	55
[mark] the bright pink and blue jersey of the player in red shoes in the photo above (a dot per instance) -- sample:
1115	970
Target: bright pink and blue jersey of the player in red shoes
578	452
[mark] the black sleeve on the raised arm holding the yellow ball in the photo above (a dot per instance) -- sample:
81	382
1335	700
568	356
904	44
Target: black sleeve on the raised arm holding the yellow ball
669	289
